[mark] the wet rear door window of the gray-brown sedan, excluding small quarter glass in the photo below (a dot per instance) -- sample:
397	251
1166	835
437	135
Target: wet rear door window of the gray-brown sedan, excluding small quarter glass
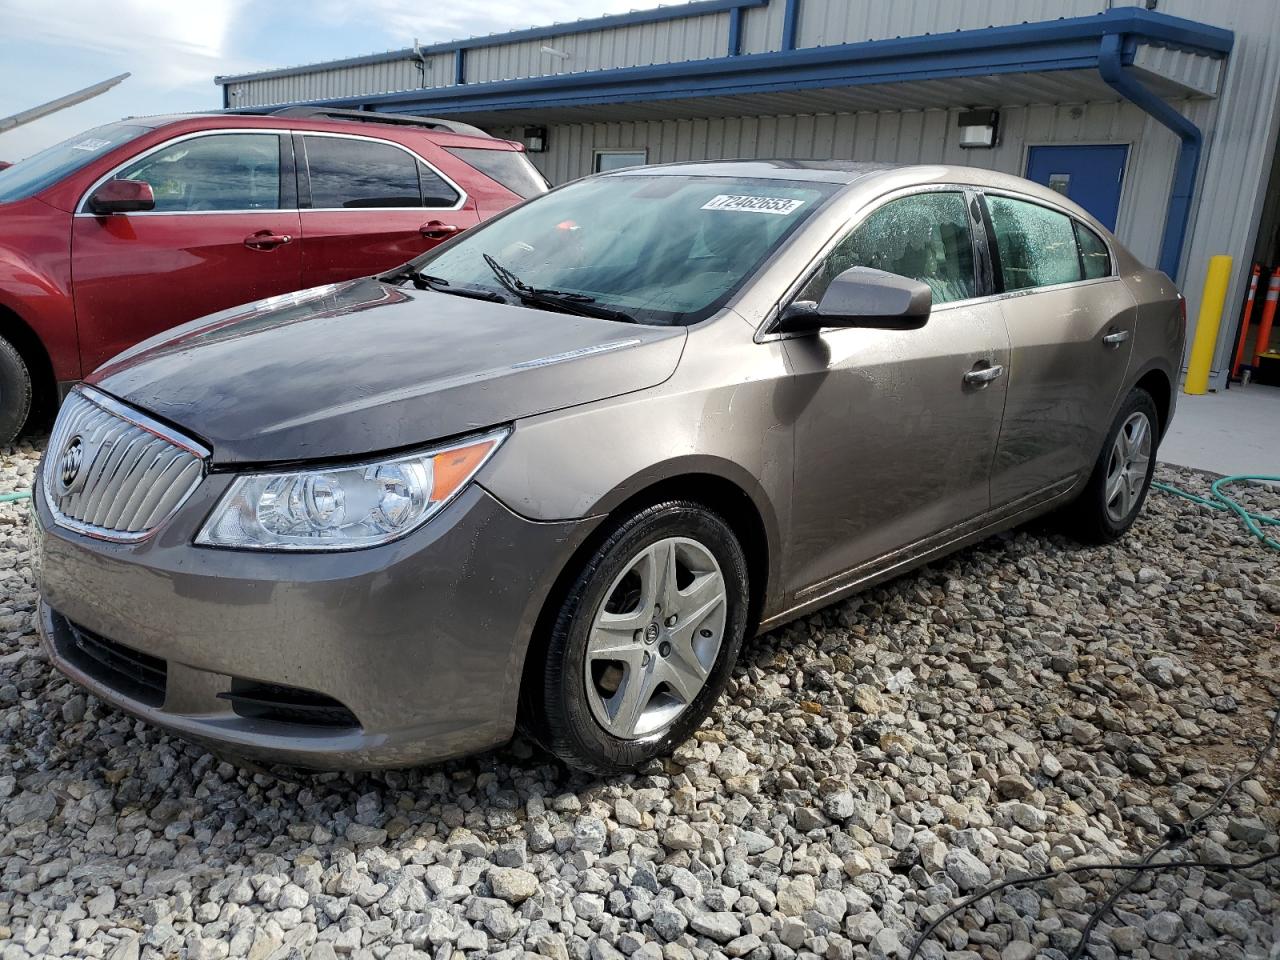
1036	245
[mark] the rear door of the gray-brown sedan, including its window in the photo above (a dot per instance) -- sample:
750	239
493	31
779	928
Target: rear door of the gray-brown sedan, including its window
1071	327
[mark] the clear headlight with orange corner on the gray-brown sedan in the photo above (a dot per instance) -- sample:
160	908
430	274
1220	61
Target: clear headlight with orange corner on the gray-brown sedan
345	508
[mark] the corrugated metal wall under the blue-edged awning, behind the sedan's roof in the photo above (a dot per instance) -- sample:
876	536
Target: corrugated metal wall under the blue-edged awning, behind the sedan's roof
909	138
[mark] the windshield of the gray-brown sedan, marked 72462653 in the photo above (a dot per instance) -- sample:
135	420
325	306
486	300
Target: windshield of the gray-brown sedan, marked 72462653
661	249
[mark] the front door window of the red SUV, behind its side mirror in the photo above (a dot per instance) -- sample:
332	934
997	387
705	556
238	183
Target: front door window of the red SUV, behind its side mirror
220	172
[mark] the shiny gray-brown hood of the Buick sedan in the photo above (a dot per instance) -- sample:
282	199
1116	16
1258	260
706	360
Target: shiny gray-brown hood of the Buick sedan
365	367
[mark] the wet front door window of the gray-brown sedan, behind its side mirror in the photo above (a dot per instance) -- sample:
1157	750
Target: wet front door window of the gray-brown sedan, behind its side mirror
925	237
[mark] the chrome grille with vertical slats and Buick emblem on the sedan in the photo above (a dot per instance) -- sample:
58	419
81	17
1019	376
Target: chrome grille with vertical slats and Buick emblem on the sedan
113	473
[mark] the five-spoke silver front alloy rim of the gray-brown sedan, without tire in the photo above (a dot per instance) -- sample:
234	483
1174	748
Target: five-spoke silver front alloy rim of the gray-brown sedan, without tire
656	638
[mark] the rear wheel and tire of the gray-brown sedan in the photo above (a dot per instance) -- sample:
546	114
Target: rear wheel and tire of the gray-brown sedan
1108	508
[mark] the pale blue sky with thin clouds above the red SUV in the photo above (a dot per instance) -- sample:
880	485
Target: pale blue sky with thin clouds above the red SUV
176	48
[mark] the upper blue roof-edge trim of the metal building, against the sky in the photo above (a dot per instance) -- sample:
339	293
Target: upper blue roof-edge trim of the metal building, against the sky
660	15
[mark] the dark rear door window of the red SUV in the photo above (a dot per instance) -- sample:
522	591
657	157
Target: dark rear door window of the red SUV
360	173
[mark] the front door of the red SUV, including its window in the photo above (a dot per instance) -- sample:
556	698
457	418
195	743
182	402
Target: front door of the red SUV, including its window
225	231
